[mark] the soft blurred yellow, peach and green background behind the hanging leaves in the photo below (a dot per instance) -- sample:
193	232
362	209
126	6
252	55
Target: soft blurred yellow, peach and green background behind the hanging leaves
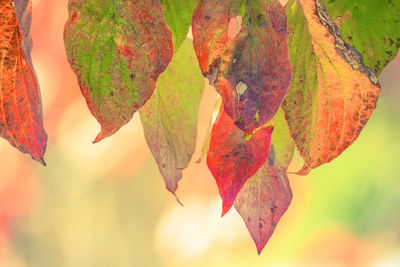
106	204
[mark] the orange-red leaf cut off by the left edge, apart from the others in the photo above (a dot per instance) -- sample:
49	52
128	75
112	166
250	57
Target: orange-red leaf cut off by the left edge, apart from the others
21	121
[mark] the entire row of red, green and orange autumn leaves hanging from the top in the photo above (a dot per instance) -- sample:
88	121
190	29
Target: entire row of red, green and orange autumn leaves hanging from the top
299	76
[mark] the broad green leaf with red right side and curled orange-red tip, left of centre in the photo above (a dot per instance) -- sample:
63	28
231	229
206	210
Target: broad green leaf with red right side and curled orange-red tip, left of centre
117	49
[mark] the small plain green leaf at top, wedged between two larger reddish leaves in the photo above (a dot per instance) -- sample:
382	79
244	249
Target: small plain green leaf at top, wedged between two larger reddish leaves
178	14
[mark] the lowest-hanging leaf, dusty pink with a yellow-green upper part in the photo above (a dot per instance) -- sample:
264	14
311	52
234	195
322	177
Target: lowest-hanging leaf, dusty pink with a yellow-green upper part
266	195
